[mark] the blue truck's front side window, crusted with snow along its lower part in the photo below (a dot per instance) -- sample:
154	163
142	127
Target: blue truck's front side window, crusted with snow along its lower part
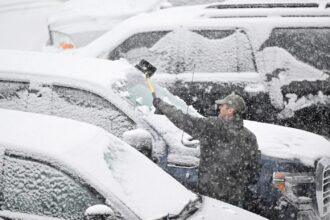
86	106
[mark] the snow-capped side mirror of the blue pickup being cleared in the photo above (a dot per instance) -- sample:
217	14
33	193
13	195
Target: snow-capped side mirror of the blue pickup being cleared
140	139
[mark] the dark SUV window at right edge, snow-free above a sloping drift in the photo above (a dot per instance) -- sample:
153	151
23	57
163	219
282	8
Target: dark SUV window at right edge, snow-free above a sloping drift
309	45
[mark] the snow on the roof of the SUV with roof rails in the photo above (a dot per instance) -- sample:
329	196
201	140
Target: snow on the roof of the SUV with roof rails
195	16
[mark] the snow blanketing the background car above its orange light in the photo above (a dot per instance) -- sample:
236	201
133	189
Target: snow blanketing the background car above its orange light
96	15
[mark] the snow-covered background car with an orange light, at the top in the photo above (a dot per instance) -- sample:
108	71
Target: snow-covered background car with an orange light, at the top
81	21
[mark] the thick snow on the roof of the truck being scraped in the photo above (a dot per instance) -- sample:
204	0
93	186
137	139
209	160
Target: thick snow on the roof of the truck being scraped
34	64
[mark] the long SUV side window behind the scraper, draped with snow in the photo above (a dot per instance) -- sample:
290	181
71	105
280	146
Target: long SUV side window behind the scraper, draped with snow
178	51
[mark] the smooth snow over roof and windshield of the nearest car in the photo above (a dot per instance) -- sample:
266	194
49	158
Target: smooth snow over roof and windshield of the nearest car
109	164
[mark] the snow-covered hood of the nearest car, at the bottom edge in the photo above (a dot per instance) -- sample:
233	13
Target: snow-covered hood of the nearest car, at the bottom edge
215	209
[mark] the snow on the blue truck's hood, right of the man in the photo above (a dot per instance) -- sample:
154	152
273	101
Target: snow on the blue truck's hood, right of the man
289	143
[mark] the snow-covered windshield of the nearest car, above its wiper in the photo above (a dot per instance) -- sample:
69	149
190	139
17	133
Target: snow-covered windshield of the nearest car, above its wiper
140	184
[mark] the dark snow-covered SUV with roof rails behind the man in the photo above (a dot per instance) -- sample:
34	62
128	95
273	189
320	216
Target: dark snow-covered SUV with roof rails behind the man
276	55
